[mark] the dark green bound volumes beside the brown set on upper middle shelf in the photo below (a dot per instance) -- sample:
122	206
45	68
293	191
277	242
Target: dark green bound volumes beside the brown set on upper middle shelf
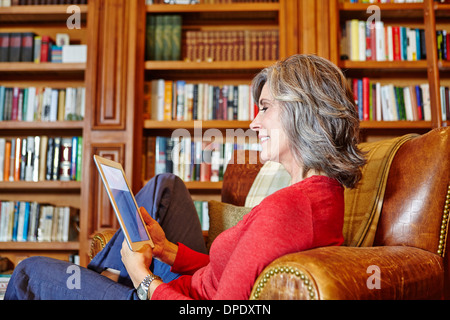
163	37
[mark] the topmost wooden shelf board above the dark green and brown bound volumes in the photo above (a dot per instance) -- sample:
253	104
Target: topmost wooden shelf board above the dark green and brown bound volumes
235	7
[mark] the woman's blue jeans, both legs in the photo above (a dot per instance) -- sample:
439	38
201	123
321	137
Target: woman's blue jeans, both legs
166	199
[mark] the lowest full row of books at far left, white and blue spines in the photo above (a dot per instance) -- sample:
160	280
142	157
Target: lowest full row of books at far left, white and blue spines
23	221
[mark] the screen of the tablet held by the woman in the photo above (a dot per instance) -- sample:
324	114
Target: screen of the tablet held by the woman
125	203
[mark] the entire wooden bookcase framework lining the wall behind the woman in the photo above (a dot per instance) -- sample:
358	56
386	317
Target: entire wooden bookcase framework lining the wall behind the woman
116	70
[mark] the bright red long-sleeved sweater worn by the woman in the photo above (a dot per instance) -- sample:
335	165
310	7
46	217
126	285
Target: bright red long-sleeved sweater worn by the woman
303	216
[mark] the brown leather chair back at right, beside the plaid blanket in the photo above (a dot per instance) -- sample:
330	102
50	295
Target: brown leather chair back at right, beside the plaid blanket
417	197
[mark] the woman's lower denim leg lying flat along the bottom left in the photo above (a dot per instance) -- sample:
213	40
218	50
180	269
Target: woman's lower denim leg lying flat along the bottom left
50	279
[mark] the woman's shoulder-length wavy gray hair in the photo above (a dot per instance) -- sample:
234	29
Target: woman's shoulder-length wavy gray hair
318	115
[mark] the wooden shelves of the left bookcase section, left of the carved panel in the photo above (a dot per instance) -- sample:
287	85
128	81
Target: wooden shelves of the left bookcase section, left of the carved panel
42	20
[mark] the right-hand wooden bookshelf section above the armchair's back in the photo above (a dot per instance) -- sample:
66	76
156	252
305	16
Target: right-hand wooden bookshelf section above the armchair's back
399	72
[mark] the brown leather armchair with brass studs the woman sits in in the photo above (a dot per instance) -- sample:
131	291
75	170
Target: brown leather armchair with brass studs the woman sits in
407	259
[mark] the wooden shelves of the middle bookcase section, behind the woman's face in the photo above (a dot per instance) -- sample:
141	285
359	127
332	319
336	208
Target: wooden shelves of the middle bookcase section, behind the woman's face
218	17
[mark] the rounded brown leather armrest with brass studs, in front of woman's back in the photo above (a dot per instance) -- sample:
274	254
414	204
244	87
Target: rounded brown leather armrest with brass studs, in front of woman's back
347	273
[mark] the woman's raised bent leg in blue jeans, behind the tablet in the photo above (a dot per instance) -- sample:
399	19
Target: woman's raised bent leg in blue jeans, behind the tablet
167	200
